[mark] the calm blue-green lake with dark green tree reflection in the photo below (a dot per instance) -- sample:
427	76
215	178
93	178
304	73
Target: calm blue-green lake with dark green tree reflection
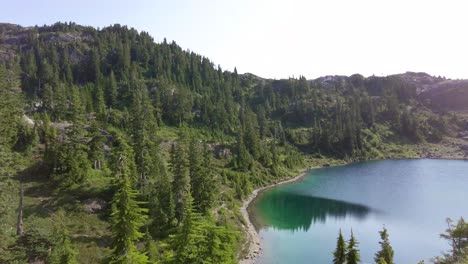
299	222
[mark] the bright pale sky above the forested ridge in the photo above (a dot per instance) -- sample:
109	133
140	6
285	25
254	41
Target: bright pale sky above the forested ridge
280	39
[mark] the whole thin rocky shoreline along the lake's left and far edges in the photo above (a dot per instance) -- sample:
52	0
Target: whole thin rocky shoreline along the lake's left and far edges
254	239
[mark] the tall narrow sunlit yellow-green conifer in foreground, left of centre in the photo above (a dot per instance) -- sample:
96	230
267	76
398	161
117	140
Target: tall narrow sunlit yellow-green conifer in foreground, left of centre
127	217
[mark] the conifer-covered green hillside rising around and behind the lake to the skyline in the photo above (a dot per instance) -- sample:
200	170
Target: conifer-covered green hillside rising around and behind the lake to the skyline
95	123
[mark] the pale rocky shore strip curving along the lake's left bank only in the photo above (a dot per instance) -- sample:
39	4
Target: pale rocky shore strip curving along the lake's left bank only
254	238
